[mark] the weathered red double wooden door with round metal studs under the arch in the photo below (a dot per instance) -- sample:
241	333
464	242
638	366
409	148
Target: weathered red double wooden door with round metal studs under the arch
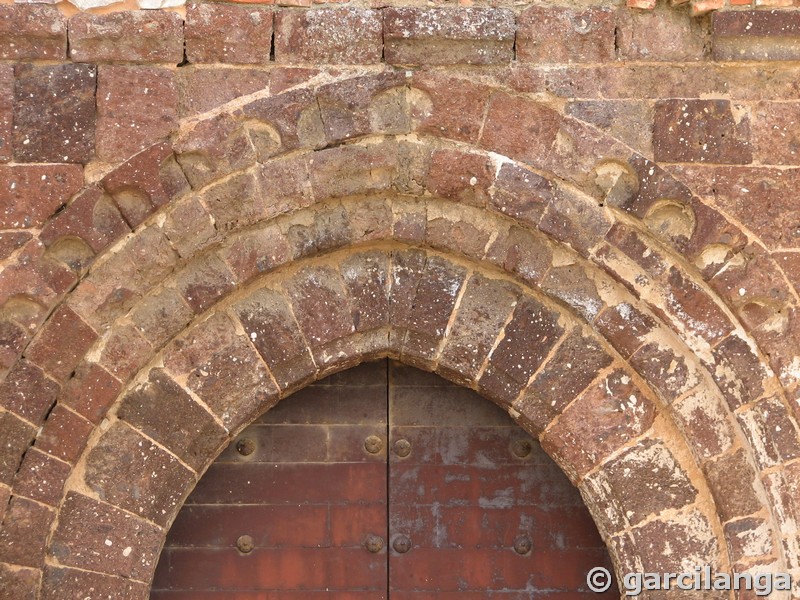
382	481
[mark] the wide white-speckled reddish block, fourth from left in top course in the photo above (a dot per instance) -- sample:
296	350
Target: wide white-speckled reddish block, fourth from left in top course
328	35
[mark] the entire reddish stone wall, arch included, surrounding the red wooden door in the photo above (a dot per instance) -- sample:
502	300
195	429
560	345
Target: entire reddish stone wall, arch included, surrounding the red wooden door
589	216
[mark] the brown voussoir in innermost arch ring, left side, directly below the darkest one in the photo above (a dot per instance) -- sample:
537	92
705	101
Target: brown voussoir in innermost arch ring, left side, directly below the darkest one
131	472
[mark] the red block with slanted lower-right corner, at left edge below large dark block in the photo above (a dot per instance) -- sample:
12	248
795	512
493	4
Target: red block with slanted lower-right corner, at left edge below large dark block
30	194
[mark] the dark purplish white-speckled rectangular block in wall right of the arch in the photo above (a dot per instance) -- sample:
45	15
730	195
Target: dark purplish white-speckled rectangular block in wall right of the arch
700	131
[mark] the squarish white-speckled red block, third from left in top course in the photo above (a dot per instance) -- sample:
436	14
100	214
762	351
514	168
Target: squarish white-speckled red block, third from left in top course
223	33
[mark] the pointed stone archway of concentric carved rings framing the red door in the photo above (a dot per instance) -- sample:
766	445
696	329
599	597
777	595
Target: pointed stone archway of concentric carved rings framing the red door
442	238
